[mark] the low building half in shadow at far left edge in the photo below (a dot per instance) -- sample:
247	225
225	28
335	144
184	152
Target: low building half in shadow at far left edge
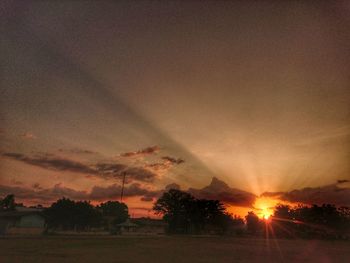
23	222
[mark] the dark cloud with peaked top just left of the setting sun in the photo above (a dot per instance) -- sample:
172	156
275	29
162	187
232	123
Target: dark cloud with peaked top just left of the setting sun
219	190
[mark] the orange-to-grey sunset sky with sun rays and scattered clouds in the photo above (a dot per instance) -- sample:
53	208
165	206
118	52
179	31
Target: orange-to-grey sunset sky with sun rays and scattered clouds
243	101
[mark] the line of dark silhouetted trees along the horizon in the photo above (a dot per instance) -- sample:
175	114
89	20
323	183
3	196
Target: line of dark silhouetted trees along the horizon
186	214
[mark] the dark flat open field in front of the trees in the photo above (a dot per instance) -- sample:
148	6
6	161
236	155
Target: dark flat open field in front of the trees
169	249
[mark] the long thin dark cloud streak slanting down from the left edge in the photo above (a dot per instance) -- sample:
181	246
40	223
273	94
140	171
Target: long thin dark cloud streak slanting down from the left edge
103	170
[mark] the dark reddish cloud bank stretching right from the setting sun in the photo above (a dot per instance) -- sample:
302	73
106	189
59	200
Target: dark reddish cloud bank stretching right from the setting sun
329	194
